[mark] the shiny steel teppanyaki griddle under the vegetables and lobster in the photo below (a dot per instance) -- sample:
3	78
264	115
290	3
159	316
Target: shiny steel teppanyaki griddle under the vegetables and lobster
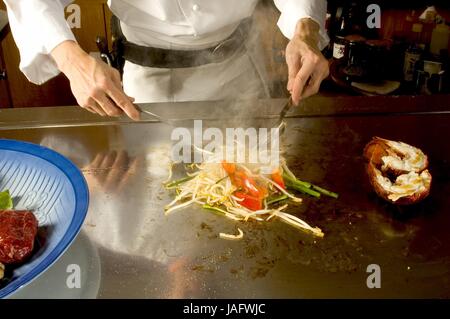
143	253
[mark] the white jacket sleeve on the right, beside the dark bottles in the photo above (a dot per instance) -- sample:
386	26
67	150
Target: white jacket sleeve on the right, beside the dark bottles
294	10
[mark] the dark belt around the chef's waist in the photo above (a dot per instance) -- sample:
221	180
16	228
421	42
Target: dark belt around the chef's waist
171	59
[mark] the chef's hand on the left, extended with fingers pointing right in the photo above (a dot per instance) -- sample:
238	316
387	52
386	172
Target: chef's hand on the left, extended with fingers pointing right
96	86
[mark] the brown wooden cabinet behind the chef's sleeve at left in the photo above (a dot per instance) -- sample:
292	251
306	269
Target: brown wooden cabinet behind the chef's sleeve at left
17	91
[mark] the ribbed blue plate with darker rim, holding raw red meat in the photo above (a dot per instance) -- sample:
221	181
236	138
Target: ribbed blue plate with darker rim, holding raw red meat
47	183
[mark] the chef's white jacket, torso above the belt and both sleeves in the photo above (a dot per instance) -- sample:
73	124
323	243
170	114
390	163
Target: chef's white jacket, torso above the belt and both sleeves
38	26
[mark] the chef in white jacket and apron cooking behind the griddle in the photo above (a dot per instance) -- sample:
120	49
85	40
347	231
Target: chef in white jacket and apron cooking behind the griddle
47	47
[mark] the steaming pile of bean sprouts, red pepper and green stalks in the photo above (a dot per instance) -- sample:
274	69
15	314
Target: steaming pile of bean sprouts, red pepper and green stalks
243	192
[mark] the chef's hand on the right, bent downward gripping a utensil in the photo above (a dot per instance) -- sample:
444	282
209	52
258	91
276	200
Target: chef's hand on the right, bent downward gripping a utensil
306	65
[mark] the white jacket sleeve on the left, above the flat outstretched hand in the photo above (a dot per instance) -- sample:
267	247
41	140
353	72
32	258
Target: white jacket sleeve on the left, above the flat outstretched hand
38	26
